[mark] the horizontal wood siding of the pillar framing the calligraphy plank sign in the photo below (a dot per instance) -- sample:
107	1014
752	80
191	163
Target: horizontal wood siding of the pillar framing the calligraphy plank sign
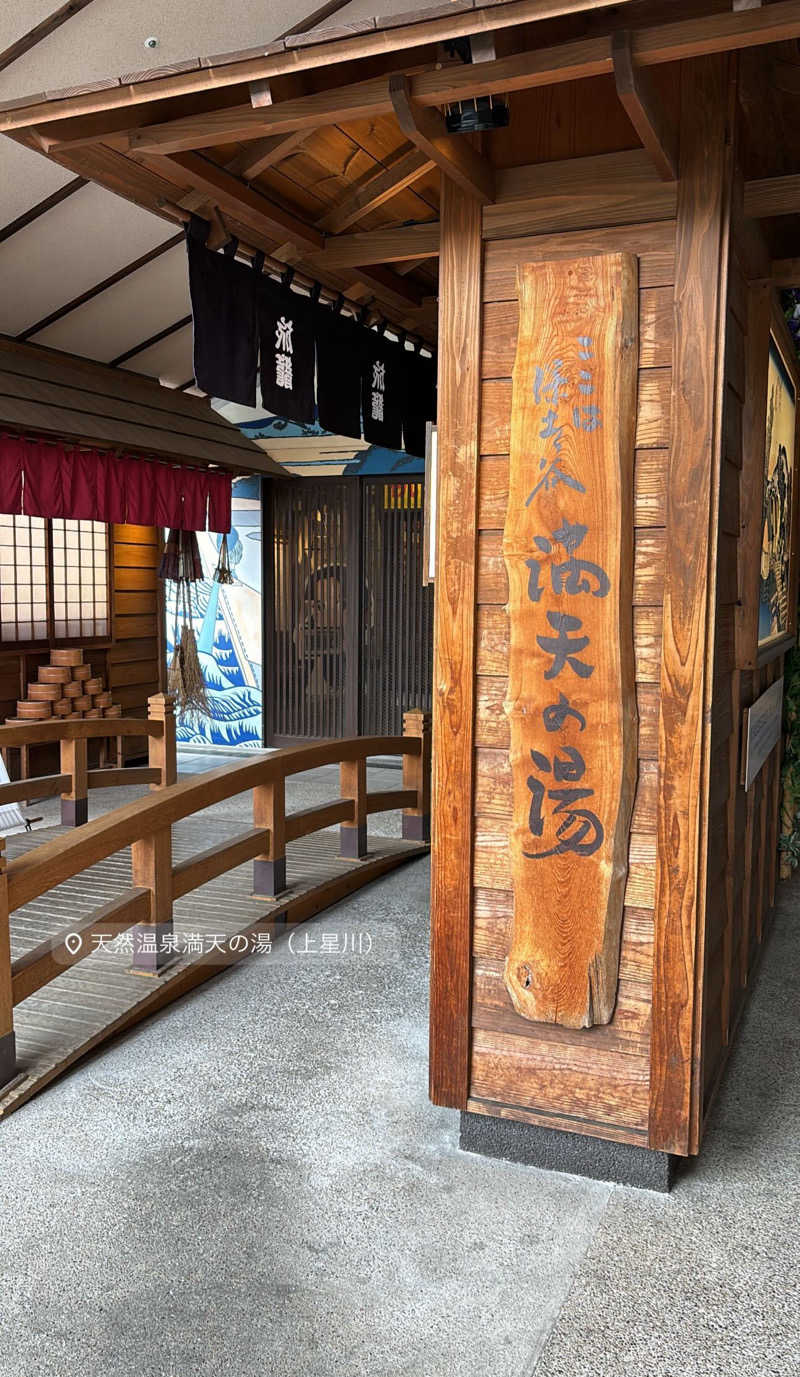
590	1080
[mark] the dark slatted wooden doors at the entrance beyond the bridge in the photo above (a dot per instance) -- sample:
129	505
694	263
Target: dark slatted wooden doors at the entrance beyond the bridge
349	626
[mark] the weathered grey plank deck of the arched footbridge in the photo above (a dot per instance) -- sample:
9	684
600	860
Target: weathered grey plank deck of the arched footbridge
98	998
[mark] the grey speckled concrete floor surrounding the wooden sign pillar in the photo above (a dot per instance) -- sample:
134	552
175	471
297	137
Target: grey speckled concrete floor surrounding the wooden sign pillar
255	1184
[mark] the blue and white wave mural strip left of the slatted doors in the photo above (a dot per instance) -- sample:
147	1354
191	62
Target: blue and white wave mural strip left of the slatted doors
228	624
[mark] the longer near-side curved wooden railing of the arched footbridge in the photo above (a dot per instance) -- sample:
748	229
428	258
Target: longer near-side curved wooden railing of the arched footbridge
147	824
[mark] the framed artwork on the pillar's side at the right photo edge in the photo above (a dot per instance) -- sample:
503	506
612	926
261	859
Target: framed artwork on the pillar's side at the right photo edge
777	597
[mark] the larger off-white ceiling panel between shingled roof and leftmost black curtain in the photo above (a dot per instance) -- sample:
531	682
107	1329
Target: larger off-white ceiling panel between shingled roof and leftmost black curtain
127	313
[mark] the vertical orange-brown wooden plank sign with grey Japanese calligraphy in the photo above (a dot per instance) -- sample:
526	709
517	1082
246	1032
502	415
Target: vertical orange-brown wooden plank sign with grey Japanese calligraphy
569	553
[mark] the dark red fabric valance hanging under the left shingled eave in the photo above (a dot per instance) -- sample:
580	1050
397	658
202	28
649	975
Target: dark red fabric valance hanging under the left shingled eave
42	479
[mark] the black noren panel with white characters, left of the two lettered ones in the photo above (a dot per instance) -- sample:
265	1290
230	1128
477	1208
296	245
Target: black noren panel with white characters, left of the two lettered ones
287	349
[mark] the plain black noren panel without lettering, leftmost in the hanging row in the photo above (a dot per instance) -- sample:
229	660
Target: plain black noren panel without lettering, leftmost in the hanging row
224	312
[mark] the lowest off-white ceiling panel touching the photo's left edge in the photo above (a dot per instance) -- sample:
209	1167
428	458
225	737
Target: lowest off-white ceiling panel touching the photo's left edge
68	251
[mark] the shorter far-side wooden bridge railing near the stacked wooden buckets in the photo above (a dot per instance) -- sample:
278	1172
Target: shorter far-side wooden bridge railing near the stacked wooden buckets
76	779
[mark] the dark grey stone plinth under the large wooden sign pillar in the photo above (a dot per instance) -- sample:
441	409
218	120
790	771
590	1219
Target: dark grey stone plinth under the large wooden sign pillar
575	1153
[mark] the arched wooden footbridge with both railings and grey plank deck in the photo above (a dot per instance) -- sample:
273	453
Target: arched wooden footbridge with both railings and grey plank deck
171	878
